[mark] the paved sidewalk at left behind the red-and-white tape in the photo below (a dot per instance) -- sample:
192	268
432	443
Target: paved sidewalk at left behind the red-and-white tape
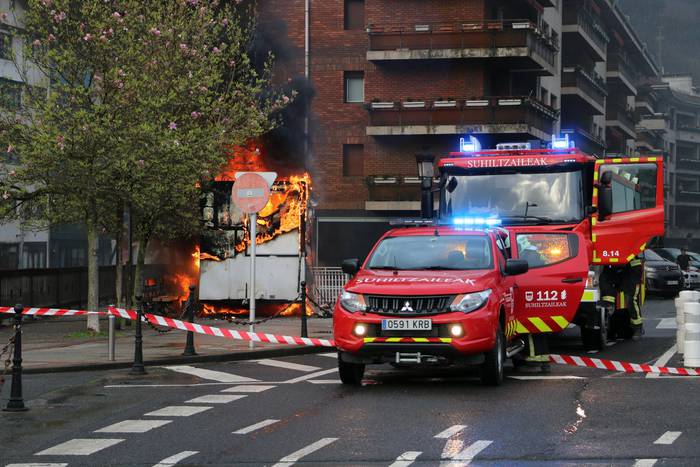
54	344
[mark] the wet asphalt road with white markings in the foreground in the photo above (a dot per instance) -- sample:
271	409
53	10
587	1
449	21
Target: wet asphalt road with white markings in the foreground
293	410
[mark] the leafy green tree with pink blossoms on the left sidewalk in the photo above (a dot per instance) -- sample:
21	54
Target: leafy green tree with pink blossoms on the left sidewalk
145	96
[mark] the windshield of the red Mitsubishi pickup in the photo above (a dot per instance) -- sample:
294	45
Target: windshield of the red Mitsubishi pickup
448	252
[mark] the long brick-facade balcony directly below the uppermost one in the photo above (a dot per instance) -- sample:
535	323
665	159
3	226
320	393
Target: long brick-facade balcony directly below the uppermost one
488	115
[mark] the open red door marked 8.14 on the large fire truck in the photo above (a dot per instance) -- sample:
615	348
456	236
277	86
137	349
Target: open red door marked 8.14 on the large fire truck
635	213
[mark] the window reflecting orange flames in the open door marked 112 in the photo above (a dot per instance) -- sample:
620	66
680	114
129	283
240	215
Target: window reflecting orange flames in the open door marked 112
546	249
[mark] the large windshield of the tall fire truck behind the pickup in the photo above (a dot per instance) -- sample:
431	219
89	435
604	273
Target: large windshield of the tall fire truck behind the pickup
543	197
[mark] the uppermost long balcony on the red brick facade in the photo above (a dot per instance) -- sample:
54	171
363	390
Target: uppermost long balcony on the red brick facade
519	44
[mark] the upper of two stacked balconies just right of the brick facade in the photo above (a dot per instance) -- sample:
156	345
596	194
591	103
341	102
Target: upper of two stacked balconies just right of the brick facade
583	32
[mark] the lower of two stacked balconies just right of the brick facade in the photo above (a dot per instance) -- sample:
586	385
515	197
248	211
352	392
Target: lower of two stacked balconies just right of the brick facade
583	91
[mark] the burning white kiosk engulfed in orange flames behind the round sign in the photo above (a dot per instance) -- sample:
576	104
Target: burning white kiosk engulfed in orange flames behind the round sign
281	239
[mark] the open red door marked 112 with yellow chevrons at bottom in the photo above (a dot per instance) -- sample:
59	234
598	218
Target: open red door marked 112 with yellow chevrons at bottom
548	295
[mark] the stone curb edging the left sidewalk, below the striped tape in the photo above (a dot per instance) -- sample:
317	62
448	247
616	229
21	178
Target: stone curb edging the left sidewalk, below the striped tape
230	357
